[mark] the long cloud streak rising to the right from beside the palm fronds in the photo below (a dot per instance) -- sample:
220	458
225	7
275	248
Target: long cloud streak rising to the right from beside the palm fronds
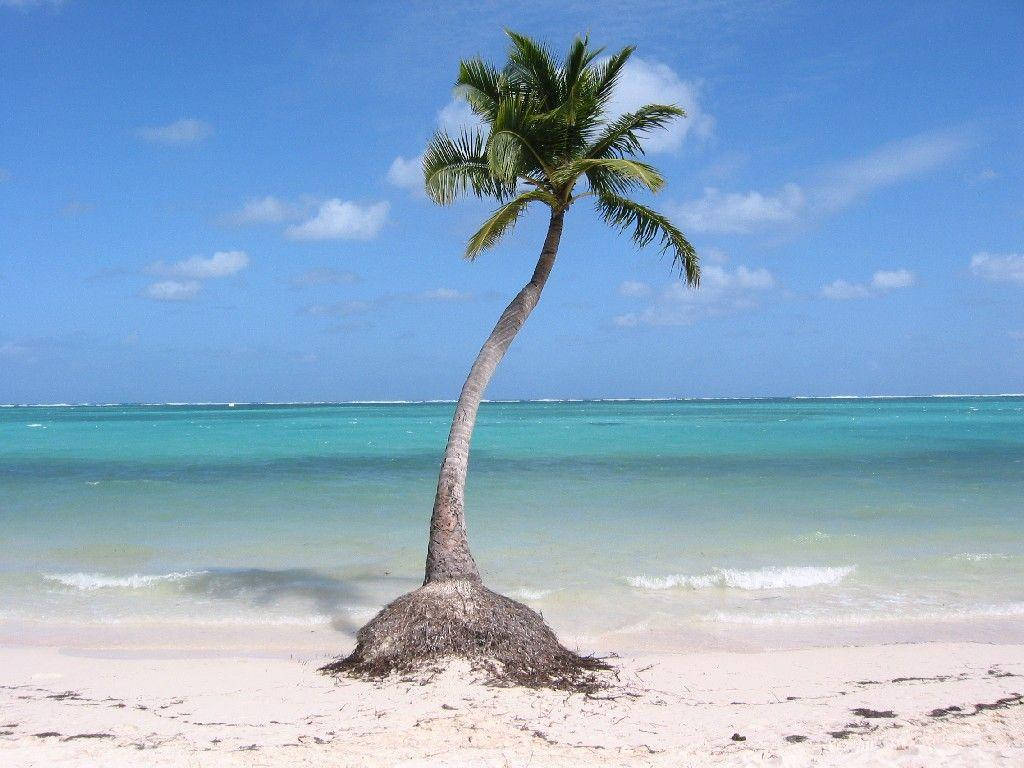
834	190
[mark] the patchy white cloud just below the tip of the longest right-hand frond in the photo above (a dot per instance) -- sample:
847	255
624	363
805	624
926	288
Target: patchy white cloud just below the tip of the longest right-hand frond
722	292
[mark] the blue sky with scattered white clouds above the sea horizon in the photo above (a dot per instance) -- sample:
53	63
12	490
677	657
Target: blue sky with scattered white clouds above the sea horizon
222	202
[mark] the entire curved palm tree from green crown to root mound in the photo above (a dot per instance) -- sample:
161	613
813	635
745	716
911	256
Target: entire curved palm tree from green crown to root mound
548	141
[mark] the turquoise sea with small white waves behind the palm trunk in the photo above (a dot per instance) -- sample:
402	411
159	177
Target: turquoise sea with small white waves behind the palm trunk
697	520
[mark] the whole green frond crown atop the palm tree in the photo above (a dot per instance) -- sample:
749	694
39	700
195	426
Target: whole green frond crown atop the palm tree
546	130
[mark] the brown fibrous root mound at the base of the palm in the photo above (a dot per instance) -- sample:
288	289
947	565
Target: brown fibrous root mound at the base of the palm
465	620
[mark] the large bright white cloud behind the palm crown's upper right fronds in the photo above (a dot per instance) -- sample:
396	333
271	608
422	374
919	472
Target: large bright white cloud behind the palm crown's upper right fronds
649	82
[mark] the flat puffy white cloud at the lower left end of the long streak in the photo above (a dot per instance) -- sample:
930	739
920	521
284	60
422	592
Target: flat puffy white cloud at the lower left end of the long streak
741	212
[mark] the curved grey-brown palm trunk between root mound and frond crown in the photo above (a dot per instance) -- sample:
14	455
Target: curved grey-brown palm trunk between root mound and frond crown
449	558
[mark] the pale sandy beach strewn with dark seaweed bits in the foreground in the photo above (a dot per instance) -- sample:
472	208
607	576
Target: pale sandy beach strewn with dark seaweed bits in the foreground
920	705
